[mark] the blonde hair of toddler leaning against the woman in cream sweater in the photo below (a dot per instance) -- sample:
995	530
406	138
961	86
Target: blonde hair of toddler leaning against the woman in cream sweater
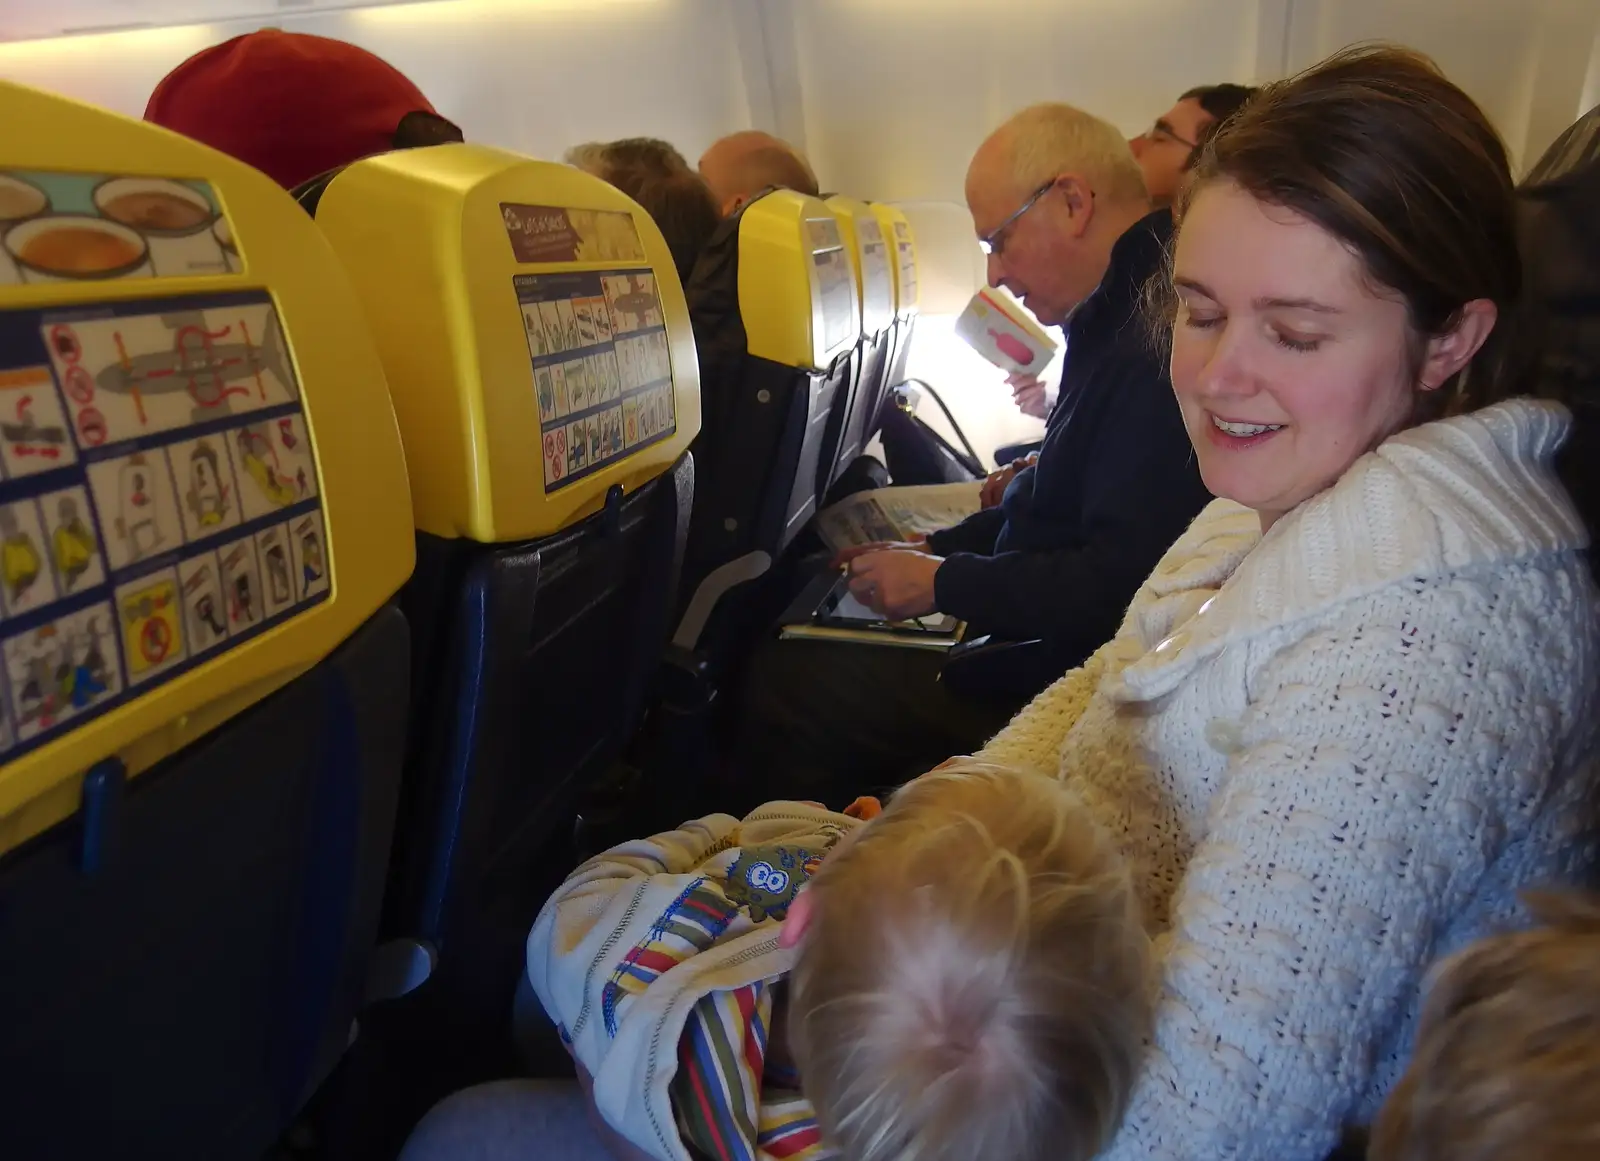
974	979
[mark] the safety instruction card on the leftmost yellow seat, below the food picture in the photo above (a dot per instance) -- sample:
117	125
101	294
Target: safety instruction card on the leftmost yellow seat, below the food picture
159	500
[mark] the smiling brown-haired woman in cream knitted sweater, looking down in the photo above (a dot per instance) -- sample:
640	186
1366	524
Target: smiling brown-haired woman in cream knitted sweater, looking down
1351	714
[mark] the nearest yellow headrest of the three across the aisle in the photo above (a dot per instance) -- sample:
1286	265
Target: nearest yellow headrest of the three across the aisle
798	292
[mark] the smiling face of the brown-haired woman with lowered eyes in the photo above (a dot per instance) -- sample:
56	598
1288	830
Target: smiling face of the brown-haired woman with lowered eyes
1287	362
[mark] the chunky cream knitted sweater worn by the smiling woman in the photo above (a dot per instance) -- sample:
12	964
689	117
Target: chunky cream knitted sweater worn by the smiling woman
1334	754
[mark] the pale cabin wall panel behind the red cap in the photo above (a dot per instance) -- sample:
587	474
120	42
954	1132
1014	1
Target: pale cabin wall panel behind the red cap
532	78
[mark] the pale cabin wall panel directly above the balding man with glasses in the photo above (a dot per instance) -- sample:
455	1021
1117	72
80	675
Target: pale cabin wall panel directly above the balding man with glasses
898	94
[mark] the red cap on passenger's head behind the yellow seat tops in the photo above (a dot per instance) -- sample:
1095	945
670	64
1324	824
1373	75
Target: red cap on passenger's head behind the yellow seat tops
292	105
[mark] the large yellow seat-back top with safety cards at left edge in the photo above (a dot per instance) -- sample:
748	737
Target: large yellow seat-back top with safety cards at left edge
202	490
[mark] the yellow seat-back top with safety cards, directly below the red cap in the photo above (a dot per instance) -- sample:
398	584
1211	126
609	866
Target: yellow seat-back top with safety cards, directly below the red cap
534	330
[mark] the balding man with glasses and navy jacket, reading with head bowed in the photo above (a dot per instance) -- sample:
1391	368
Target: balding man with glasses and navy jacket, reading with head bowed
1065	218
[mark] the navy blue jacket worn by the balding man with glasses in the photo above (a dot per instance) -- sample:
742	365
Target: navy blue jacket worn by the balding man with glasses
1116	482
